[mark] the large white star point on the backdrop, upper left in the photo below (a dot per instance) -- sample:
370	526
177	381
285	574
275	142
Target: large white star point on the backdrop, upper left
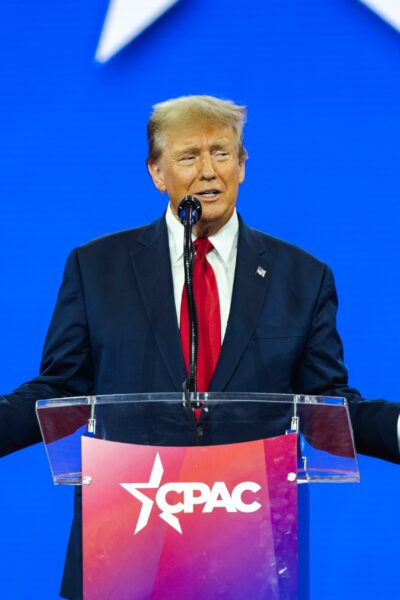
125	20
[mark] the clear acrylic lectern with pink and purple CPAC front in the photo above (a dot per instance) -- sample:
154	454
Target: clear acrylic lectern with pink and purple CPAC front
196	505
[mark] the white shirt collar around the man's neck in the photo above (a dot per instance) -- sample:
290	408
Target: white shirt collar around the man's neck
224	241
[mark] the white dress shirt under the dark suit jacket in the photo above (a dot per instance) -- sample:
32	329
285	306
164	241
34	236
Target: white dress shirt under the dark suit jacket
222	258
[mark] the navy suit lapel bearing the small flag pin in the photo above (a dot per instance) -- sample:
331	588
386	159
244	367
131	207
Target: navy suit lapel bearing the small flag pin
252	277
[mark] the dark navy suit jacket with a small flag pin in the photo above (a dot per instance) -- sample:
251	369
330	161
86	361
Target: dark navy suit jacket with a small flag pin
114	330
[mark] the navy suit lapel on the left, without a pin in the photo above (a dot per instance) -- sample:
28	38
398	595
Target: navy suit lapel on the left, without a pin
152	267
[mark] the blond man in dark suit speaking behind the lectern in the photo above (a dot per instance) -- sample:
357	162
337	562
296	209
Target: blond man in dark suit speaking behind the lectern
115	328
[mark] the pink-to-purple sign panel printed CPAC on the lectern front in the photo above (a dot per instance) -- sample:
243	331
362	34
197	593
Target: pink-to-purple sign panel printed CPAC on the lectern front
195	523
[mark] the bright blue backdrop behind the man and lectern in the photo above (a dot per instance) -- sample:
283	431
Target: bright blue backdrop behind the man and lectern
322	82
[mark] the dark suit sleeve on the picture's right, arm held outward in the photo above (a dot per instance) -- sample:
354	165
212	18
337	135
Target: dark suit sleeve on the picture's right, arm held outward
322	372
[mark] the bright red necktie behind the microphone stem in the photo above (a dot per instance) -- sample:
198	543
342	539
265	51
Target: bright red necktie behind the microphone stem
208	316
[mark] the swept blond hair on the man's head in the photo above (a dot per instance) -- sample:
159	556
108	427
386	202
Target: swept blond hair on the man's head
178	112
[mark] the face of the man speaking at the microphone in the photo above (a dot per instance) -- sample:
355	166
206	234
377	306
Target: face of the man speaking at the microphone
201	161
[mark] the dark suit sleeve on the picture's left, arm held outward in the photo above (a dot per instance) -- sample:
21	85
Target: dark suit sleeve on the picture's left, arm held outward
66	366
